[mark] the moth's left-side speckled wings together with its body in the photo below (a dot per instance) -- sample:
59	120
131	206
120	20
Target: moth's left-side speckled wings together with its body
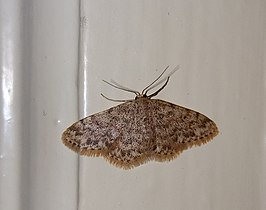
116	134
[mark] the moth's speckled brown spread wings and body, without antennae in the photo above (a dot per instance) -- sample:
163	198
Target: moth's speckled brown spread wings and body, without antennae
138	131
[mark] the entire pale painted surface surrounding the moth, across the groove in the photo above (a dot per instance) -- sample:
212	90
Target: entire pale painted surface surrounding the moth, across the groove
46	82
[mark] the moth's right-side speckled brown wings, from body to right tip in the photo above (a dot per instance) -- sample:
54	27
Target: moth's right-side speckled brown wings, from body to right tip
178	128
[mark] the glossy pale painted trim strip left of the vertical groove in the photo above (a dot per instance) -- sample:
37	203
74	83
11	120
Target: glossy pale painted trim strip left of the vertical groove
39	64
